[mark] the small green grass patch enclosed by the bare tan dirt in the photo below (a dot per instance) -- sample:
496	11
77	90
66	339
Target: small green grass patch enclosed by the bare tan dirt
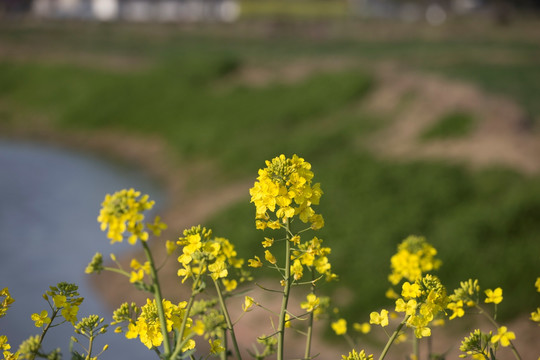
452	125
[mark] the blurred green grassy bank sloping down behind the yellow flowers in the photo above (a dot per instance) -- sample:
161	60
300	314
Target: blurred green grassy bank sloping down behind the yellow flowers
483	223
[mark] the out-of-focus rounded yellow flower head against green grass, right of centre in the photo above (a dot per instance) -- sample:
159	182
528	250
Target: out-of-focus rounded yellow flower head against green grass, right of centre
415	257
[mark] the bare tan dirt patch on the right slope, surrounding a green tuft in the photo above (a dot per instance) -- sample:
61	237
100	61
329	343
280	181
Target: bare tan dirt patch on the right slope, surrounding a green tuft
503	134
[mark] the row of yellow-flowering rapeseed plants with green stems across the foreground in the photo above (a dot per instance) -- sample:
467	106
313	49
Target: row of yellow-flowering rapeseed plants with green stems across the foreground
285	199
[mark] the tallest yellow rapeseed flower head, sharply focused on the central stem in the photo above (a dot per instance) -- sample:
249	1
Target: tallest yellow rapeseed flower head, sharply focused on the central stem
285	188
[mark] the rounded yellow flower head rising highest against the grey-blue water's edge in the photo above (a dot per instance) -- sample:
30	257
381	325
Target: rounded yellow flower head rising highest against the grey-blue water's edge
123	211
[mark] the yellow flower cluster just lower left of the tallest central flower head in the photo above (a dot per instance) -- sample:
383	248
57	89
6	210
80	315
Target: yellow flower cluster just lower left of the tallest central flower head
204	254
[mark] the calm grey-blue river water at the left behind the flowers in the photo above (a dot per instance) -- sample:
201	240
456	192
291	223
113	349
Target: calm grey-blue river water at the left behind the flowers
49	202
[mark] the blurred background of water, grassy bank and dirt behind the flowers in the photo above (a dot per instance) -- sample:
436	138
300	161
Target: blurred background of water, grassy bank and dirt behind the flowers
418	117
